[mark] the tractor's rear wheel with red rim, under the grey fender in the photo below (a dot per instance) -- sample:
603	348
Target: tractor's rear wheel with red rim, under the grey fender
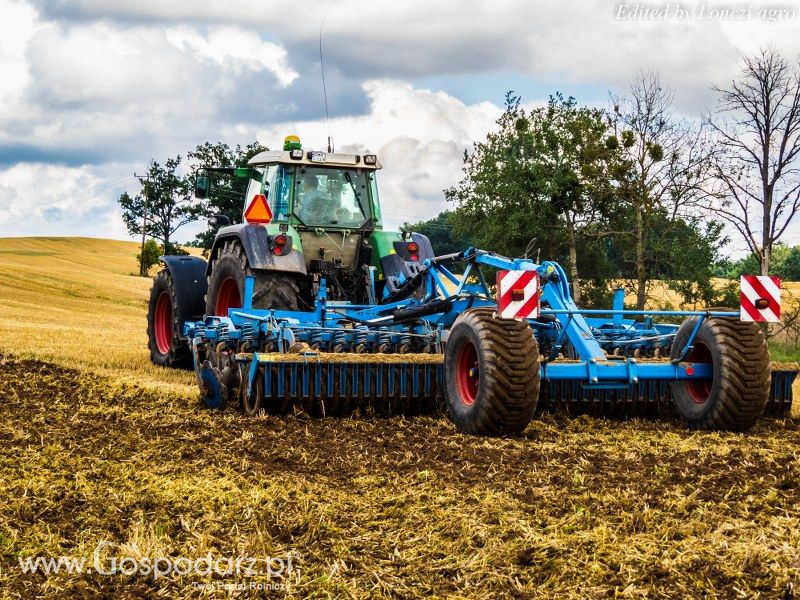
274	290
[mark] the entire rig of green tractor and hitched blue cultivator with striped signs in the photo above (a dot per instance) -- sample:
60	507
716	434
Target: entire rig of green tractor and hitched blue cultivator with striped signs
311	302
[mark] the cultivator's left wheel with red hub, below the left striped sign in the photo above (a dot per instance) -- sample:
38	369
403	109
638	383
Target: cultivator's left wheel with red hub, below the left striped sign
491	373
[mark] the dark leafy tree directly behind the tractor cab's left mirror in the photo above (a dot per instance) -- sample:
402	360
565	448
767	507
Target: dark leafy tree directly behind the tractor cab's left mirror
227	193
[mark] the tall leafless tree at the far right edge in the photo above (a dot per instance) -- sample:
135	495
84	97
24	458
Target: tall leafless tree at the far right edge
758	172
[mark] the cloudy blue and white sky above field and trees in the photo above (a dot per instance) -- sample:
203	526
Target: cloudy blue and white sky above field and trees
91	90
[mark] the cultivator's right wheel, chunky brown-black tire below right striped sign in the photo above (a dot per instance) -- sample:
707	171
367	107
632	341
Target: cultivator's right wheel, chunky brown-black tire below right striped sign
736	395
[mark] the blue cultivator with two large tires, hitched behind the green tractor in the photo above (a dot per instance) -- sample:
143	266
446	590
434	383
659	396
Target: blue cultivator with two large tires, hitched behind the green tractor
342	355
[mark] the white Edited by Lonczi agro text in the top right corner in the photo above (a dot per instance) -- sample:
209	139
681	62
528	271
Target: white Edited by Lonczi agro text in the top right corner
709	11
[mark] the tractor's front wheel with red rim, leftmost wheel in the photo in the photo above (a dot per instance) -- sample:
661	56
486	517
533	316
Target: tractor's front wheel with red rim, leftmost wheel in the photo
167	349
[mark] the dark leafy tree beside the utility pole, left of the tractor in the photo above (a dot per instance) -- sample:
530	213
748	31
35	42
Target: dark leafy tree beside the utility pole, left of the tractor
164	199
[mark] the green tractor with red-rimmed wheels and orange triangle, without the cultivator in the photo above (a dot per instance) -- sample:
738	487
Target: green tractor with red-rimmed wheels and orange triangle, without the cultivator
309	217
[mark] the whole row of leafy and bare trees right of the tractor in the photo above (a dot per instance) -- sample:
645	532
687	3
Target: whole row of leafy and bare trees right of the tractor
634	191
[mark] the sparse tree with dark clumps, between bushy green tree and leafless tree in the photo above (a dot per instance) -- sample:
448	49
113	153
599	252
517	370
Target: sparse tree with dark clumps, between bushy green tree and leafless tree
664	166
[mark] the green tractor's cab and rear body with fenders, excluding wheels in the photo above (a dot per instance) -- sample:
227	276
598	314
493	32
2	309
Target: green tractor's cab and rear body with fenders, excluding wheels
317	215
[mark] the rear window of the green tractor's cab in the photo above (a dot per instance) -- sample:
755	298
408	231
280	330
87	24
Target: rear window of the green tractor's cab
326	197
